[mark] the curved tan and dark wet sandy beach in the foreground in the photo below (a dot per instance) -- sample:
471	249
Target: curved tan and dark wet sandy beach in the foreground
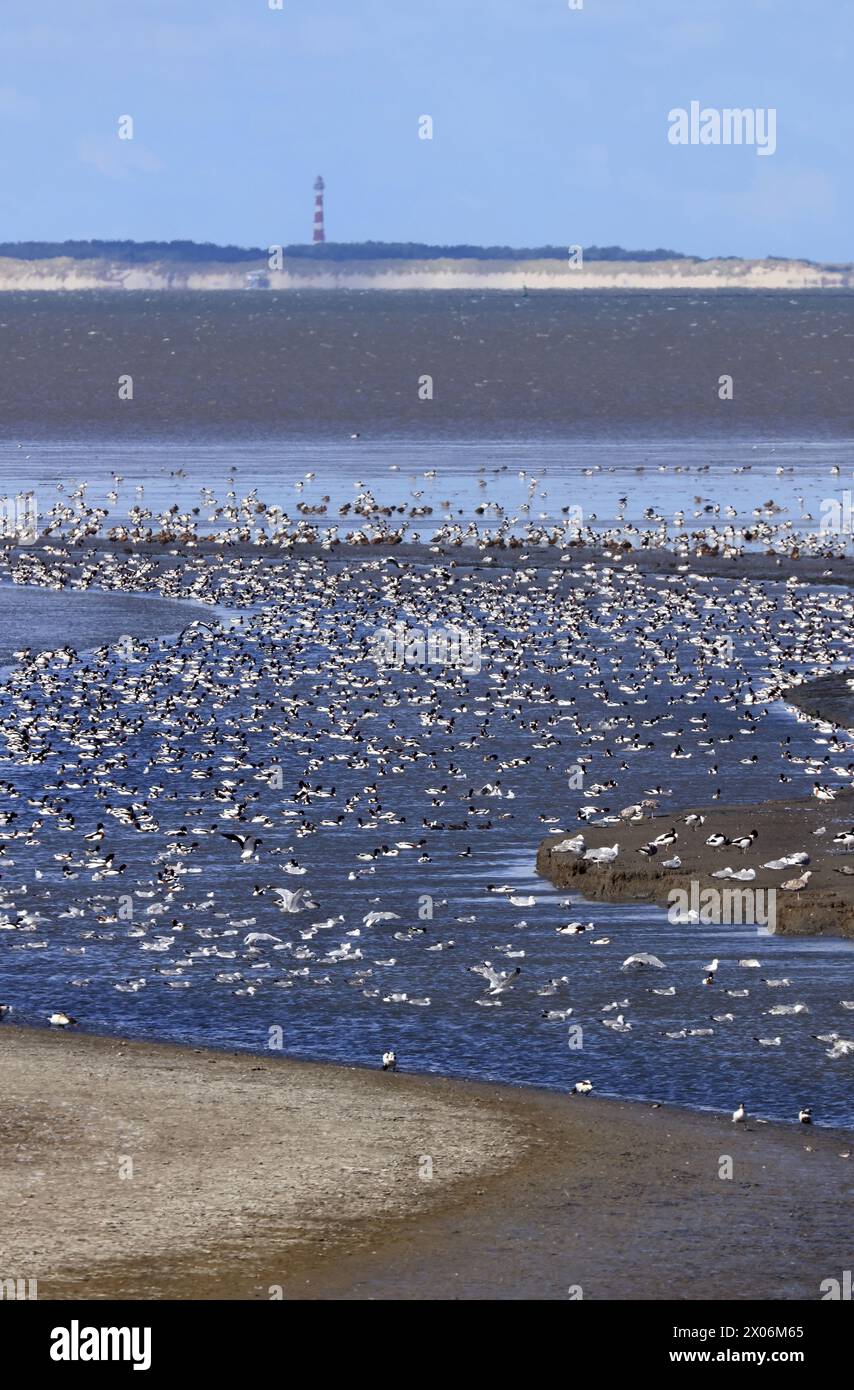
257	1172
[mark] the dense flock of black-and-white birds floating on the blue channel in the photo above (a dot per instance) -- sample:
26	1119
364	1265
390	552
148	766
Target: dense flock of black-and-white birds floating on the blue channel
162	800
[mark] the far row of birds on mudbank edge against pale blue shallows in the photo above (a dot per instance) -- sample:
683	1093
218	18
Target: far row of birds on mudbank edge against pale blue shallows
415	515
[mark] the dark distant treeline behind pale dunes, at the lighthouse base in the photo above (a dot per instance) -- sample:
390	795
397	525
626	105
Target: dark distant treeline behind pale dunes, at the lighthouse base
144	254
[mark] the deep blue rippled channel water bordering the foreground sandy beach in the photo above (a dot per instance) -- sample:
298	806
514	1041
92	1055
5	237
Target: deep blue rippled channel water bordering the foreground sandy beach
79	950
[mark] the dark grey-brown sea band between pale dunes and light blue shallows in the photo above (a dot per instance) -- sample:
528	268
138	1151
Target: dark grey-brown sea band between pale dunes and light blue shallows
319	365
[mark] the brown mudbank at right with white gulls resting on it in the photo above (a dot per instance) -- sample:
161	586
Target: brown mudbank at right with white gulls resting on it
824	908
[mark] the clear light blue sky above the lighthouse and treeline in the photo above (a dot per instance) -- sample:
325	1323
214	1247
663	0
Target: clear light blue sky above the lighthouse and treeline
550	124
